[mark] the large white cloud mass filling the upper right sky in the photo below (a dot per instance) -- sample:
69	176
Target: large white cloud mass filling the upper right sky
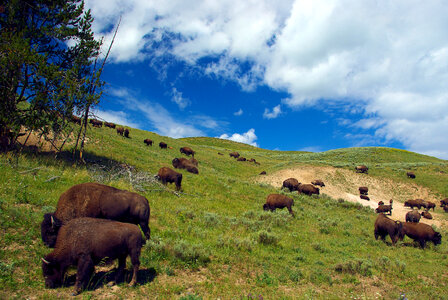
361	52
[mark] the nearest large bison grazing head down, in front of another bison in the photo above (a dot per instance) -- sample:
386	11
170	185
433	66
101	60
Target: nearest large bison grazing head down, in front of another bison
85	242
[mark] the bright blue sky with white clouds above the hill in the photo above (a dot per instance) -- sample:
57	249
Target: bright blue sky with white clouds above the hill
296	75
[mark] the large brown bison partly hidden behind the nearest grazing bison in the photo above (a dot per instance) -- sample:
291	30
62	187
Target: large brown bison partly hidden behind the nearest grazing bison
97	201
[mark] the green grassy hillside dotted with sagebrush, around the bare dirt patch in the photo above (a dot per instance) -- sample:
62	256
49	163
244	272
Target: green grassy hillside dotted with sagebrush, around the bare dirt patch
213	239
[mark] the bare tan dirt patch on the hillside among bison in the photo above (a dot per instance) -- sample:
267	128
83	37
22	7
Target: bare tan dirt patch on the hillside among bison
341	183
